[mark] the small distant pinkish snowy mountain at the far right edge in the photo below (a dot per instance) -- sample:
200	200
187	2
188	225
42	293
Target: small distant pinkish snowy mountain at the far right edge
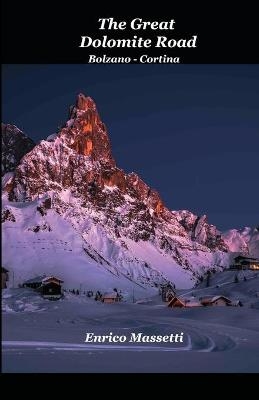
245	241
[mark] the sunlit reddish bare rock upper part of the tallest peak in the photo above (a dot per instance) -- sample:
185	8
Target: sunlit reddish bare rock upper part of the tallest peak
80	159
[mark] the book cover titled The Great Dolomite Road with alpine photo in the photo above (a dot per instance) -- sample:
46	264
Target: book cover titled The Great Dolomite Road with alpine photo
130	230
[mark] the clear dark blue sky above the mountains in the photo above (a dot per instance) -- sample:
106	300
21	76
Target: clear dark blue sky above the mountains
190	131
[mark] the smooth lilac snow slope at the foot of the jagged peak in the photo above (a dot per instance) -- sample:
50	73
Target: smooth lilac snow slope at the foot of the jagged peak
82	254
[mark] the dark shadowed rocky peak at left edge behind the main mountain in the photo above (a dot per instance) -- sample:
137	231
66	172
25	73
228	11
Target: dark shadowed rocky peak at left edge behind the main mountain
15	144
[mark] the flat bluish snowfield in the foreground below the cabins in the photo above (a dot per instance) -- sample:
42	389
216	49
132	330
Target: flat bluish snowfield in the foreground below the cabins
46	336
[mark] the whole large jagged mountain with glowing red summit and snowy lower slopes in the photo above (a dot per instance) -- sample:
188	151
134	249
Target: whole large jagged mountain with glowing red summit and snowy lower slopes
69	209
